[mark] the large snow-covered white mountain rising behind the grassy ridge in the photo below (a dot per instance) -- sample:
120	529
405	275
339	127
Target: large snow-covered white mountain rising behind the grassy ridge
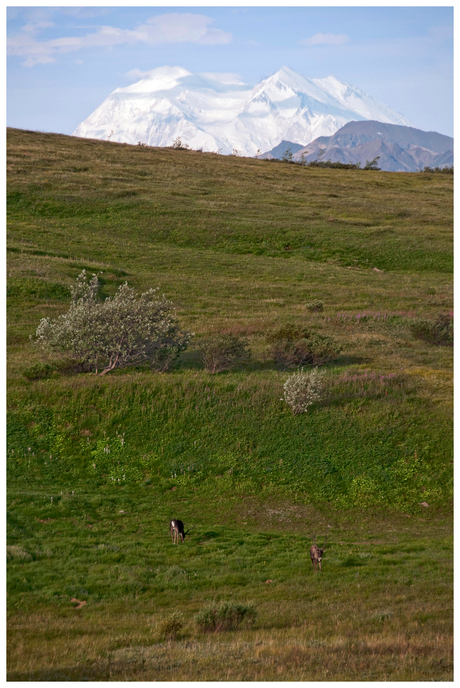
219	113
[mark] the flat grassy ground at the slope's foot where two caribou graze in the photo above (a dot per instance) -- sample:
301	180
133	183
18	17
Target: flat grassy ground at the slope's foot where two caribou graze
382	600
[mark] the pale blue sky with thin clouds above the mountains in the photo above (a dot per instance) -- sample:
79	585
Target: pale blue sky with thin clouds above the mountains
64	61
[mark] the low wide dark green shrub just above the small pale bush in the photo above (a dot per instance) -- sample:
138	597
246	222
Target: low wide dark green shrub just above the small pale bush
293	345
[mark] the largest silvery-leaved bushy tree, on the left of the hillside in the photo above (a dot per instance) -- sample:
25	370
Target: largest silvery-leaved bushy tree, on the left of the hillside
121	331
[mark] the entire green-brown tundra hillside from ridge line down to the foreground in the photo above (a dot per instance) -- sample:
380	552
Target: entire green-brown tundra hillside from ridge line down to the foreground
98	465
